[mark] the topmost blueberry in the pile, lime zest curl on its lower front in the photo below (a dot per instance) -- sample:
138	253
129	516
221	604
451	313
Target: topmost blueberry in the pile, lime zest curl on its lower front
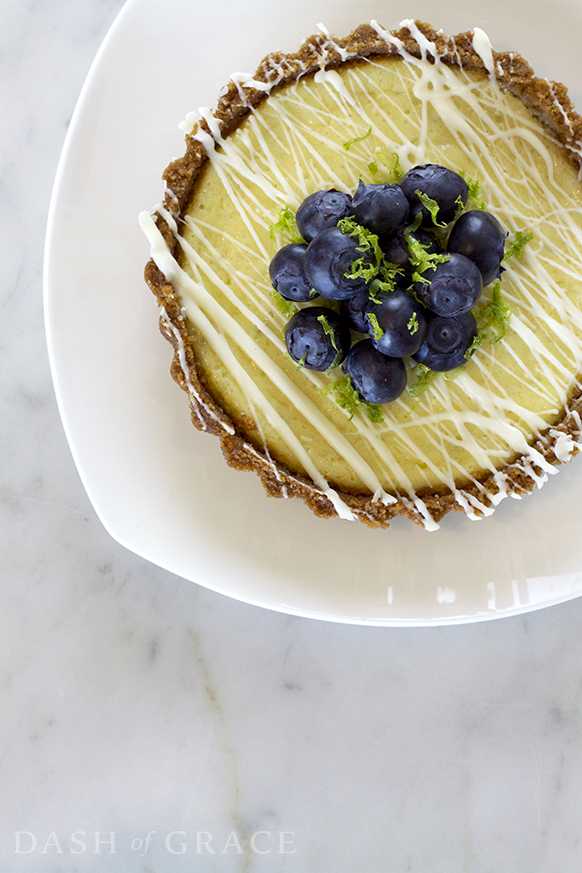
442	185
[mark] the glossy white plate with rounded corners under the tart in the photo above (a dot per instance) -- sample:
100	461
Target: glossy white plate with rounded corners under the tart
160	487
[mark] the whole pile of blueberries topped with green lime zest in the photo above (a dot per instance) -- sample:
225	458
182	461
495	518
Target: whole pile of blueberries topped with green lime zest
401	276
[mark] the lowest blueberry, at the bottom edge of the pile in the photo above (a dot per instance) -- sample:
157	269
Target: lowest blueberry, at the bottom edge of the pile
376	377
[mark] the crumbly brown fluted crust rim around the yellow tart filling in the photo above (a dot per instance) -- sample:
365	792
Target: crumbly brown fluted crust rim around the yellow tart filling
548	101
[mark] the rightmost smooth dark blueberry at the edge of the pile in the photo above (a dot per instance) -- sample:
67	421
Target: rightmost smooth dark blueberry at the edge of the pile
479	236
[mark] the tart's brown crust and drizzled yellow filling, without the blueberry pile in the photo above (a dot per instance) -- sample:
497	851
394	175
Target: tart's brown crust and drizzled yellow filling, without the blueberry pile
337	112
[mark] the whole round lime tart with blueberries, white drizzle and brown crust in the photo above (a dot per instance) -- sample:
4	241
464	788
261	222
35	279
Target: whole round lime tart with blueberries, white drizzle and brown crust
368	263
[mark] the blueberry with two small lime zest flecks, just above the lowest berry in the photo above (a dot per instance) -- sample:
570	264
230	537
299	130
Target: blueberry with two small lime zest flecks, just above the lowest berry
401	323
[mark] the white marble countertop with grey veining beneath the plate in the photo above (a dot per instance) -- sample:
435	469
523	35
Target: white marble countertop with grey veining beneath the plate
148	724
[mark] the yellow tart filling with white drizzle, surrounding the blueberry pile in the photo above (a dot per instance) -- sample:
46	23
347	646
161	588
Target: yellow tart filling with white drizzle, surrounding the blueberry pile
459	429
